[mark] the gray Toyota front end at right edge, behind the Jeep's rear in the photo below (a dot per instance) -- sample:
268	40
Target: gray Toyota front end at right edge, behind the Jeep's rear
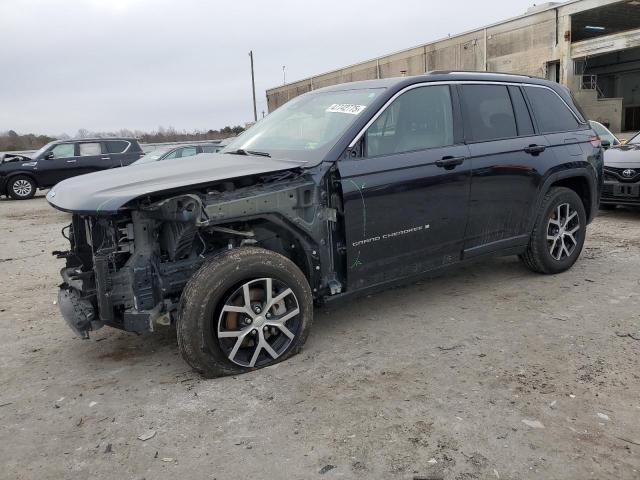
622	175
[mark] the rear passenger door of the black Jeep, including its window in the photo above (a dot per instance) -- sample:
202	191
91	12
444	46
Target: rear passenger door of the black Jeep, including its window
508	159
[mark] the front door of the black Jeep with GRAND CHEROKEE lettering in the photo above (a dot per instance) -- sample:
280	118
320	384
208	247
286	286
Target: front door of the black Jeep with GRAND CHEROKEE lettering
406	198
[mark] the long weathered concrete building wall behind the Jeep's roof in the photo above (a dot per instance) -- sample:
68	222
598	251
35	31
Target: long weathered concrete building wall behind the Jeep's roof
524	45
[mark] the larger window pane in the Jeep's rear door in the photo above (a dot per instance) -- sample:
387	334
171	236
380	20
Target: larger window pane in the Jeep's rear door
488	113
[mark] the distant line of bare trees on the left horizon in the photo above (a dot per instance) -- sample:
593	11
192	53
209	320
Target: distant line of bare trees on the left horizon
13	141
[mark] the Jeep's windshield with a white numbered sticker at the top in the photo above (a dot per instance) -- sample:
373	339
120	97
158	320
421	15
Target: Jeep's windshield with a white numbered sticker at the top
307	127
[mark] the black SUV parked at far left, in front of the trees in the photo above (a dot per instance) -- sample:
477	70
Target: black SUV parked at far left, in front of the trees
21	176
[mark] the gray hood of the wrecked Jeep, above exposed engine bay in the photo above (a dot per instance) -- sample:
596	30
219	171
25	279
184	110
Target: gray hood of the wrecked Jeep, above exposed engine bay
107	191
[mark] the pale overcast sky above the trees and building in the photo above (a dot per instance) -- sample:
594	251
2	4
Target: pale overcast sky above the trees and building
104	65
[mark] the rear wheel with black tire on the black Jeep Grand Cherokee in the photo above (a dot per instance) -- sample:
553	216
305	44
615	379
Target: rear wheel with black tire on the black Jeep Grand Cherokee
538	256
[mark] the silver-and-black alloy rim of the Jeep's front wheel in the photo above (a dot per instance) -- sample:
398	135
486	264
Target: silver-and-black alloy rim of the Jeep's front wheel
258	322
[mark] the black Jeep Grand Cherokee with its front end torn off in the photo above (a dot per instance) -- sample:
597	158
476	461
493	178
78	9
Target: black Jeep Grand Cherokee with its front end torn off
341	190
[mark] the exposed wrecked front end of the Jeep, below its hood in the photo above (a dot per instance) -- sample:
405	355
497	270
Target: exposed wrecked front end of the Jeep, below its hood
128	269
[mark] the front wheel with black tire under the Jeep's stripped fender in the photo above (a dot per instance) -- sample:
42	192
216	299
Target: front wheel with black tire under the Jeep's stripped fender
211	289
